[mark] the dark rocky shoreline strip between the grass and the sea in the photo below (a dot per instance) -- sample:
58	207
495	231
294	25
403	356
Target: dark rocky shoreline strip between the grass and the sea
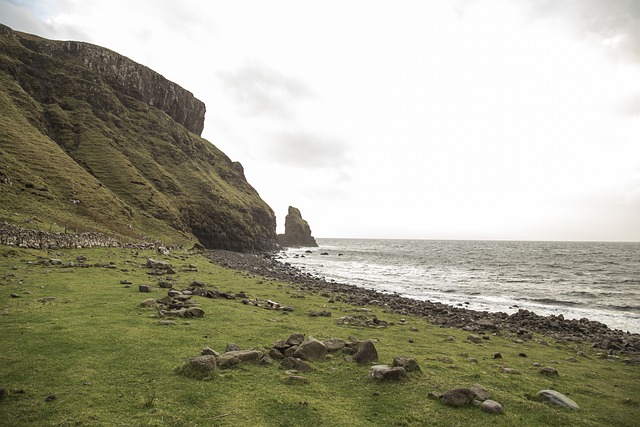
523	323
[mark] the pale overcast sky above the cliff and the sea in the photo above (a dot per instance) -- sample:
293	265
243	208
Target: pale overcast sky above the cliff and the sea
452	119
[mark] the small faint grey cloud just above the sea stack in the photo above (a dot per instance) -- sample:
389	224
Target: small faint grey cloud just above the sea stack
306	150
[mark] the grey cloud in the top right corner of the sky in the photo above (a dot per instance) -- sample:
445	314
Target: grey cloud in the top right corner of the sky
616	22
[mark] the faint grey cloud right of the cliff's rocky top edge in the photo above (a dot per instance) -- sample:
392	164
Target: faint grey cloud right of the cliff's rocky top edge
259	90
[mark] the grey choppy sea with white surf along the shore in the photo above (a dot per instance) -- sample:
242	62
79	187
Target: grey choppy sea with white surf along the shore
596	280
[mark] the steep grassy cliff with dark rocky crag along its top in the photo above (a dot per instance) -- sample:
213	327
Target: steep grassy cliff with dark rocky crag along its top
93	141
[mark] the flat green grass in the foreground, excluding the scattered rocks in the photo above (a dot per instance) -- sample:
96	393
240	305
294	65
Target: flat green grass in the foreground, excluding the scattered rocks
109	362
